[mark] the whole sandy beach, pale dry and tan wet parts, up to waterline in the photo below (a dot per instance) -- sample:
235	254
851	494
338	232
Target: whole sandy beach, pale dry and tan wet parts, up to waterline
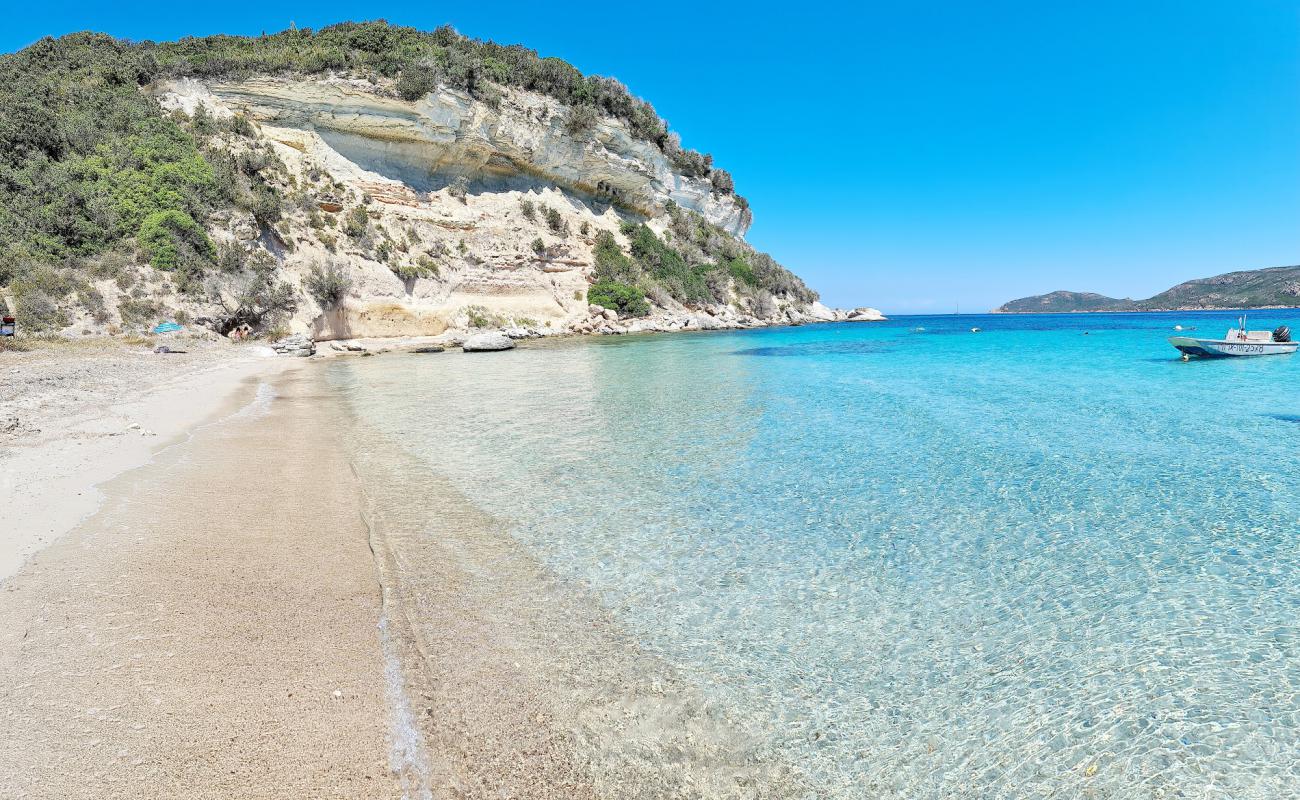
213	630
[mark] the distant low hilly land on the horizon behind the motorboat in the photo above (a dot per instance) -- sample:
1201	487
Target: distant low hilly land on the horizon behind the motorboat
1273	288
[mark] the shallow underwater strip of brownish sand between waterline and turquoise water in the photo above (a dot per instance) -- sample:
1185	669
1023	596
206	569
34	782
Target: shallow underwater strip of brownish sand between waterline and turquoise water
523	684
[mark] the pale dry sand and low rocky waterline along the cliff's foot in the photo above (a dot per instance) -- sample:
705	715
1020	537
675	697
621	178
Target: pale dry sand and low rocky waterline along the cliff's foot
76	433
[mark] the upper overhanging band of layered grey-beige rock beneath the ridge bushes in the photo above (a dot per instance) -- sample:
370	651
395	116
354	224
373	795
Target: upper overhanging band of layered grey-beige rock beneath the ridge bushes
526	141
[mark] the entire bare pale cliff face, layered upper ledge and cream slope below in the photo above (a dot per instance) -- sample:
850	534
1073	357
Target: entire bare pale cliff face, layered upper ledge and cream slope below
372	191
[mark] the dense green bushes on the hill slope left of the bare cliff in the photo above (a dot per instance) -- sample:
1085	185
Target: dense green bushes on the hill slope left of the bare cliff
93	172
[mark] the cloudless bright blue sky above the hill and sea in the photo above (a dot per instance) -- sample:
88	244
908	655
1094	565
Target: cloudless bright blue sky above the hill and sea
920	157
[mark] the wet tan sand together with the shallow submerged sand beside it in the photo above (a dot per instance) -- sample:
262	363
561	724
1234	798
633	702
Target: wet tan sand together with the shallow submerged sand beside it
258	611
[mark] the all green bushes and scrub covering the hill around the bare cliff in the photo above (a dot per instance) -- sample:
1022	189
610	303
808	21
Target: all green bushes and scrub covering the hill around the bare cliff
96	179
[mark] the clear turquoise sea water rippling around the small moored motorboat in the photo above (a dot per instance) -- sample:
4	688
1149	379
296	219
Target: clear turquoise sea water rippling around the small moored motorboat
1026	563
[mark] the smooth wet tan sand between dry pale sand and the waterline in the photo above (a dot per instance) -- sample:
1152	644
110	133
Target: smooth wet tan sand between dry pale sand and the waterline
211	633
